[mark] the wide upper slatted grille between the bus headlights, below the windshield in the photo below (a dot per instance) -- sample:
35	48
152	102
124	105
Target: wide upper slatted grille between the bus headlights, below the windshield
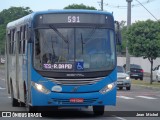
86	81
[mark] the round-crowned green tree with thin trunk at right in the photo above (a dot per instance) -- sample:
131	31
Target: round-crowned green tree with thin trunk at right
144	40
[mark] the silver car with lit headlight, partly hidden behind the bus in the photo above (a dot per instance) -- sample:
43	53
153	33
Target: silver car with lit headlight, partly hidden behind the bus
123	79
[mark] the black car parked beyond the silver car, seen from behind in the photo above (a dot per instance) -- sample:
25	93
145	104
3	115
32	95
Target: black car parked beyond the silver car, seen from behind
136	71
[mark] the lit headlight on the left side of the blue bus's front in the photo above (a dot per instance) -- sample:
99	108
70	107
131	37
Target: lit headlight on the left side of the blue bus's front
40	88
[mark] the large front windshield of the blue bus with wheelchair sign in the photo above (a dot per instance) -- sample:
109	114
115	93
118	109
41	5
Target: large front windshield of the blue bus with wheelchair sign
74	49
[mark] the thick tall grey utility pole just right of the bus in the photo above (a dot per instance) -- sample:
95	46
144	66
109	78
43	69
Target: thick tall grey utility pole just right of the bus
128	24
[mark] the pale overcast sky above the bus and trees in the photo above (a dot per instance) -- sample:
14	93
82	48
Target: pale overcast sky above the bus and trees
120	13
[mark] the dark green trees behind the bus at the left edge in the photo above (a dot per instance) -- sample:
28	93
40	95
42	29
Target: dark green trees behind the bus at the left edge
8	15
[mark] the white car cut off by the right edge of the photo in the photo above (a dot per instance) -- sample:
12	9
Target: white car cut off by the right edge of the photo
156	73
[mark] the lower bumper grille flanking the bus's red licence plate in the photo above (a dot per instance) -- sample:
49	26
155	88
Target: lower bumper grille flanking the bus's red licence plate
67	101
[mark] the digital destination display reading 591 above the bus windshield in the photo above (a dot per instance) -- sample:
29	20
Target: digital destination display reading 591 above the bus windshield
74	18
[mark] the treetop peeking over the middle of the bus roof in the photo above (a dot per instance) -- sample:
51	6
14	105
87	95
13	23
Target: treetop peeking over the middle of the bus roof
79	6
